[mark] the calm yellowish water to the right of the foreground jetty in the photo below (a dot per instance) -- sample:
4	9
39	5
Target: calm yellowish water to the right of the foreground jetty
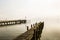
51	29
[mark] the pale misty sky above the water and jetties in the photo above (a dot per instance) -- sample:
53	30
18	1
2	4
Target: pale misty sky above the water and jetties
29	8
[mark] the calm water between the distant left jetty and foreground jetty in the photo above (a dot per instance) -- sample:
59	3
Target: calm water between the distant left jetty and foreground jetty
12	31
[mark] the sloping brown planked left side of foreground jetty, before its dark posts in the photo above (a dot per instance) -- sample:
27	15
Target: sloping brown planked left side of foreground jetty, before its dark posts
25	36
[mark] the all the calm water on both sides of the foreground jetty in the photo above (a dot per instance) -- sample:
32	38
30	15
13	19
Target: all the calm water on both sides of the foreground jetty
51	30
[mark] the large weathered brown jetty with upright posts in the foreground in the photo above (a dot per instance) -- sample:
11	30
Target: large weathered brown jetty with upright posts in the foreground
32	34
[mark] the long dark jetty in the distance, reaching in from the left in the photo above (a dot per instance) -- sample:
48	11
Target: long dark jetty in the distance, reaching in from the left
11	22
